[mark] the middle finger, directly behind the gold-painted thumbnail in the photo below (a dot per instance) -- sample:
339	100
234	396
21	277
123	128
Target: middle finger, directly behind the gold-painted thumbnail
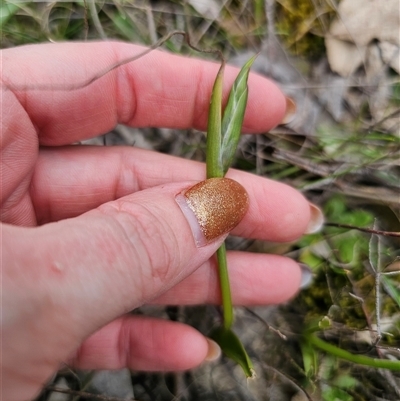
72	180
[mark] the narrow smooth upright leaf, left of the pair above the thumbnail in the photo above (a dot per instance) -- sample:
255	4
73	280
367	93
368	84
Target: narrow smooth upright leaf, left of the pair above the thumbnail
213	158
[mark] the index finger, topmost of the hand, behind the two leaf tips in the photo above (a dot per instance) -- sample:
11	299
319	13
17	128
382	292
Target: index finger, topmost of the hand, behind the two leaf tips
159	90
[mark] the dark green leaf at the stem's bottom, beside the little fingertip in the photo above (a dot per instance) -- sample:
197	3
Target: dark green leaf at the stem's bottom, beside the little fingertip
233	348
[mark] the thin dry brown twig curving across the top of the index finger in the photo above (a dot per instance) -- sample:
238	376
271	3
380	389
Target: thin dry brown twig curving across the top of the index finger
112	67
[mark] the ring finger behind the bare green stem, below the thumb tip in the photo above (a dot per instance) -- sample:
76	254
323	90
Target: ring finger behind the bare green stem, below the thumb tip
255	279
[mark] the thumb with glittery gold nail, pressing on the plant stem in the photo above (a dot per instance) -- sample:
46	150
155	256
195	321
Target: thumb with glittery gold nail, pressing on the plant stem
92	268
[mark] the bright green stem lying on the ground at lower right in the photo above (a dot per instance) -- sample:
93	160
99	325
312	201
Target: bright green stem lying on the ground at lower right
348	356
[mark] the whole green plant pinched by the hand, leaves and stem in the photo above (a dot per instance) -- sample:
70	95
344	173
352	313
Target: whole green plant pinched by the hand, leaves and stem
223	134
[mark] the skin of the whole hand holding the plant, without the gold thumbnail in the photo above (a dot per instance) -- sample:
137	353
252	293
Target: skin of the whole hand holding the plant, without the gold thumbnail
90	233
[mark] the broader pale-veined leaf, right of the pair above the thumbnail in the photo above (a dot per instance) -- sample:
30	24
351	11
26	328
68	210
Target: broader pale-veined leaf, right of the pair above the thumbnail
233	116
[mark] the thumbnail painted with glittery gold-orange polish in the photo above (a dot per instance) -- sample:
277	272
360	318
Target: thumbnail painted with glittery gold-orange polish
213	208
